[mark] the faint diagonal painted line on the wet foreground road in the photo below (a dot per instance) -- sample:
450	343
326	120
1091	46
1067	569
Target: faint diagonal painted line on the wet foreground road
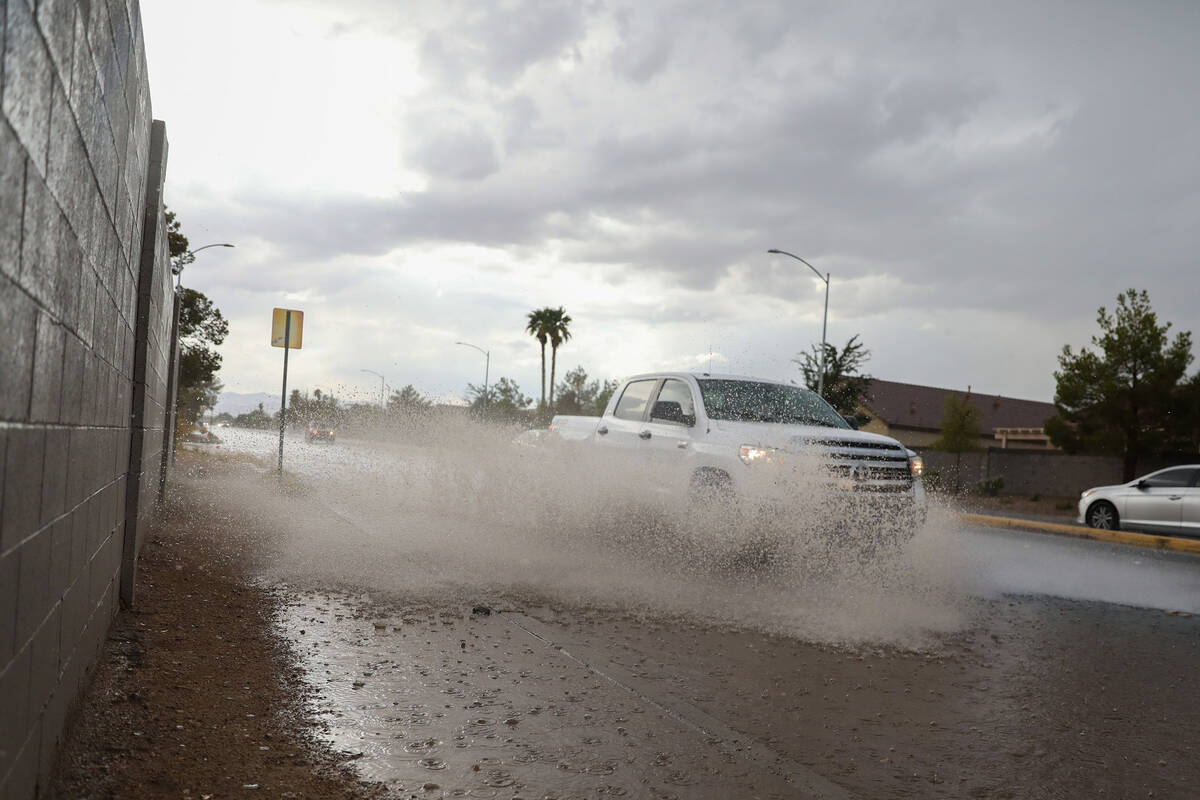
797	778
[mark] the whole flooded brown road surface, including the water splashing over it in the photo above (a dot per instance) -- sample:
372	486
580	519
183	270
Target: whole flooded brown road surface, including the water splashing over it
469	636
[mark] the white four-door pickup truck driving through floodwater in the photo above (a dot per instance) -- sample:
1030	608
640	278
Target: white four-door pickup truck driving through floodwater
709	437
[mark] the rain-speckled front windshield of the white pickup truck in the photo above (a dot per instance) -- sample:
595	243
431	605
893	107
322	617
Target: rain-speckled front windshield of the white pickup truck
748	401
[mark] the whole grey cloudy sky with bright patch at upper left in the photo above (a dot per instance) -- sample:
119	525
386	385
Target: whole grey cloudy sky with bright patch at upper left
977	178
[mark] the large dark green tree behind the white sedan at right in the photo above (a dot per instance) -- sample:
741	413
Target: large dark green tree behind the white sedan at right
1125	398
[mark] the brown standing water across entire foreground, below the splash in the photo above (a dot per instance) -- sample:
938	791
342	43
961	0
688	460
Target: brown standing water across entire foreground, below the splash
435	701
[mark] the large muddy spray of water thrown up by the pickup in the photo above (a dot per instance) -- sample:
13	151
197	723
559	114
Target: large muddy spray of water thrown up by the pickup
465	515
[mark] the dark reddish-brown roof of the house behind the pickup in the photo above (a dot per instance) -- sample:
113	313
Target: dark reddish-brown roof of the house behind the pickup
910	406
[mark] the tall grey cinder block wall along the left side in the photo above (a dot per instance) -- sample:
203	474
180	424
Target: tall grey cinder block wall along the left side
86	314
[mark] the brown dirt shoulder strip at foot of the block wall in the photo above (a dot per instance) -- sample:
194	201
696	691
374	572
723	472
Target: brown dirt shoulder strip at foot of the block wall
194	695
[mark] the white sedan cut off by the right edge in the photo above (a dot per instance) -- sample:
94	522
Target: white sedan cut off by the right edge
1167	502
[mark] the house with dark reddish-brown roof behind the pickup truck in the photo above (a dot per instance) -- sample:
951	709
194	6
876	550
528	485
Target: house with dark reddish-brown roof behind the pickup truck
914	416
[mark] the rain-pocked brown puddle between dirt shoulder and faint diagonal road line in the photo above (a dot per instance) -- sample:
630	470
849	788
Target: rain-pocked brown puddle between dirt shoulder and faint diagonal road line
463	706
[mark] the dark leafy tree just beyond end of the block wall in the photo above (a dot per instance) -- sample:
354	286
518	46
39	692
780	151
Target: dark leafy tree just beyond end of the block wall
201	329
